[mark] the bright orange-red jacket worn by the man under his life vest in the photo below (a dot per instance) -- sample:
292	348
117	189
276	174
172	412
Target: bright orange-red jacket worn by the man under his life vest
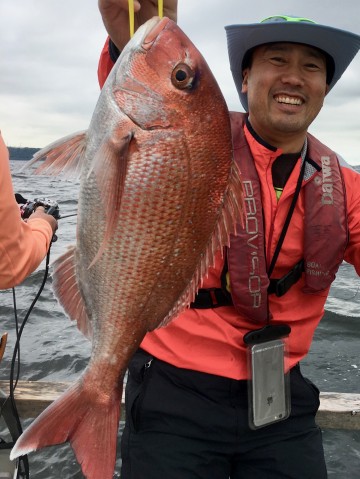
211	340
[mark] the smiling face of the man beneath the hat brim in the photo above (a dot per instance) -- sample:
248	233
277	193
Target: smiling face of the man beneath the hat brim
286	86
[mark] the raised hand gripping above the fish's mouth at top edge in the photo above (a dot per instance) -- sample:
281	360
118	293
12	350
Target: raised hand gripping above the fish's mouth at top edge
115	15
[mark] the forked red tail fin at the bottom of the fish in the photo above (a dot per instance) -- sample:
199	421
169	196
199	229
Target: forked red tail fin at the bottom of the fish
91	429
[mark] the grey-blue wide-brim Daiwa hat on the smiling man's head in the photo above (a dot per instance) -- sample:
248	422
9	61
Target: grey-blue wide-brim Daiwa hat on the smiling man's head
341	45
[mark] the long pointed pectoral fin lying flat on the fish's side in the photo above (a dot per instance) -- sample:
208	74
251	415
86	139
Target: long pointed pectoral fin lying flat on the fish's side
110	175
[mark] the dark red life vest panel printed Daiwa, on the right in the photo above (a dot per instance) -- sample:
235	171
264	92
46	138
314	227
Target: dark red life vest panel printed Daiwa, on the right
326	232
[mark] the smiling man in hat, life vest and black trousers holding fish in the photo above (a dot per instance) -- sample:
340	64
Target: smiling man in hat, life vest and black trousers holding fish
187	406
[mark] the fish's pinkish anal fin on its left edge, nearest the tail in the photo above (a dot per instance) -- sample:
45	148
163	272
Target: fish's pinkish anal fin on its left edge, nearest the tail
68	293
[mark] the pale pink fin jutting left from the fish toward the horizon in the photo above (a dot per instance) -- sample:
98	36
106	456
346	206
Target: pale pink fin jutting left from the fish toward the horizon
61	156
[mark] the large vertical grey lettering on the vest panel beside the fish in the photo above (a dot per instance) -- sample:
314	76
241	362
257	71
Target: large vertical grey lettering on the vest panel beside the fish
252	230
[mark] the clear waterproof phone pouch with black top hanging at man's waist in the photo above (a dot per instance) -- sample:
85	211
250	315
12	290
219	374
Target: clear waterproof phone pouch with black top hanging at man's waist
269	385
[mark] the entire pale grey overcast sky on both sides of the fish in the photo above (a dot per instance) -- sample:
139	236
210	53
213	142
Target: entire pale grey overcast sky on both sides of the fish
49	51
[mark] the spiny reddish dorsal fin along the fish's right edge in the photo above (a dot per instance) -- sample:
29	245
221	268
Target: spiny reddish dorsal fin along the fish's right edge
231	215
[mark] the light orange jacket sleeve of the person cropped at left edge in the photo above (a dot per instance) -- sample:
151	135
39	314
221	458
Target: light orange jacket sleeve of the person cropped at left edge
22	245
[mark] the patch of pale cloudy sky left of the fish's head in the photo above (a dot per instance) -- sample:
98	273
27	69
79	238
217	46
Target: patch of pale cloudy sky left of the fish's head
48	63
